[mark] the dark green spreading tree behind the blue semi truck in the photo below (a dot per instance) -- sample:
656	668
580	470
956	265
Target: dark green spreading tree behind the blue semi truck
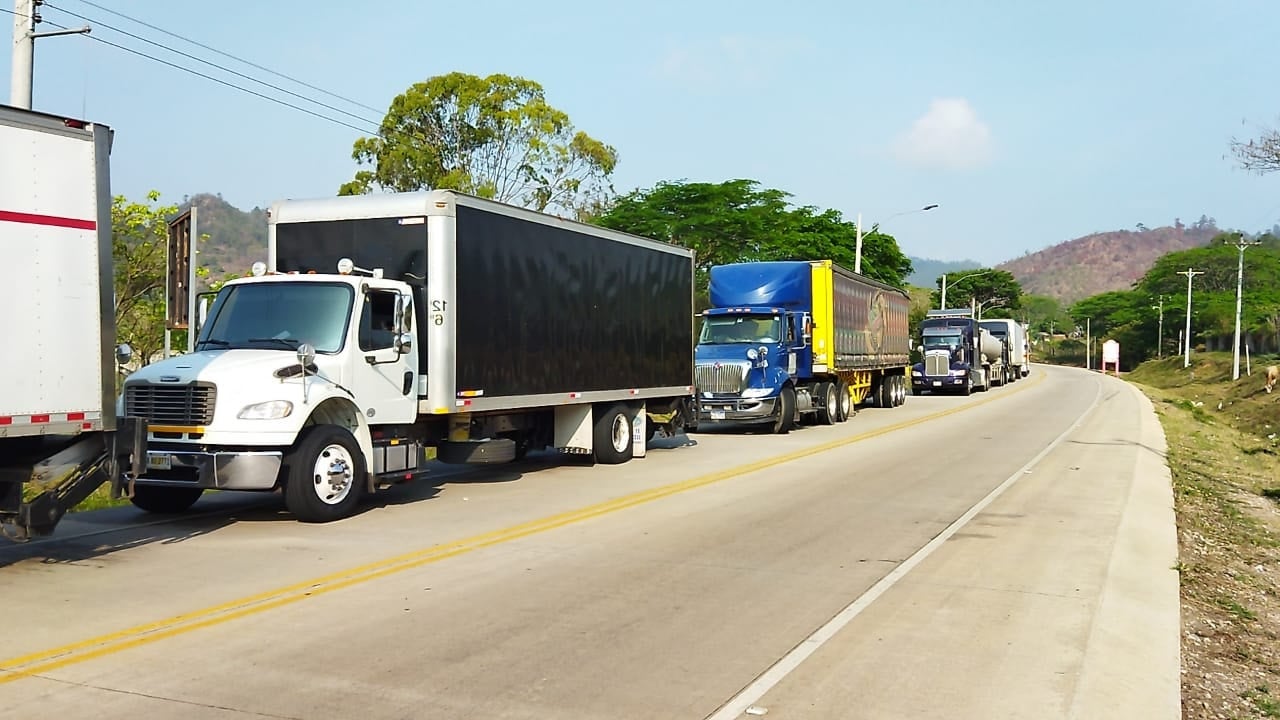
739	221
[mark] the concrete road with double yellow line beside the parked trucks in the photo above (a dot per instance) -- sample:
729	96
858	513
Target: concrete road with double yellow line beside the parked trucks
962	558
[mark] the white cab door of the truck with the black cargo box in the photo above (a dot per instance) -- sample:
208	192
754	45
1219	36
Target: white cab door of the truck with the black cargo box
386	368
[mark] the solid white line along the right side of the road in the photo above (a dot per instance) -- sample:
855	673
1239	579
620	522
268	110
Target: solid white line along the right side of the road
767	681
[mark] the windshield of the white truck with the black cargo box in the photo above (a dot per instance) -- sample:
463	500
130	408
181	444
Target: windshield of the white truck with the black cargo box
280	316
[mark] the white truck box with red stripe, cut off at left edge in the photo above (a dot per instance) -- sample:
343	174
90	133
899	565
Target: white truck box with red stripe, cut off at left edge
61	436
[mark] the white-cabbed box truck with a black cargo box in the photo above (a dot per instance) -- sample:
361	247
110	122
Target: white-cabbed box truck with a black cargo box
385	325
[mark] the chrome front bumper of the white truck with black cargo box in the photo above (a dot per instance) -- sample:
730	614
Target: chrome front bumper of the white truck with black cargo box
239	470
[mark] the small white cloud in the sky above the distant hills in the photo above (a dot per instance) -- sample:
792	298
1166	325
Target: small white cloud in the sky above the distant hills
948	136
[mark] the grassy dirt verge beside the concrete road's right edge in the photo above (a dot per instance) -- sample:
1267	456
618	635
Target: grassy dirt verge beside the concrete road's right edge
1224	452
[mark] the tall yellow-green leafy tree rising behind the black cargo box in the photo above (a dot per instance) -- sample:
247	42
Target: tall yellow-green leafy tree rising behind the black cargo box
491	136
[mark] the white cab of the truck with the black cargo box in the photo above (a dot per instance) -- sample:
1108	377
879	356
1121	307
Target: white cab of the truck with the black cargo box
286	380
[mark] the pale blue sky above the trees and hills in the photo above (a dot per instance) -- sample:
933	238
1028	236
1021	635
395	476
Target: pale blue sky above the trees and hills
1028	124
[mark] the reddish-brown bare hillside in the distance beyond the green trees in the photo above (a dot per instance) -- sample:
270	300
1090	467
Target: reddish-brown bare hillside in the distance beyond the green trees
1103	262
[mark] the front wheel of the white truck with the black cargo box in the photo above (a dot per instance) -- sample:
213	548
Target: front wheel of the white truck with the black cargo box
326	471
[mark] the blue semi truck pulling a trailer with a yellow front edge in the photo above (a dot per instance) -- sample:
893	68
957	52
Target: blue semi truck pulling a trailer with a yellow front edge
792	341
